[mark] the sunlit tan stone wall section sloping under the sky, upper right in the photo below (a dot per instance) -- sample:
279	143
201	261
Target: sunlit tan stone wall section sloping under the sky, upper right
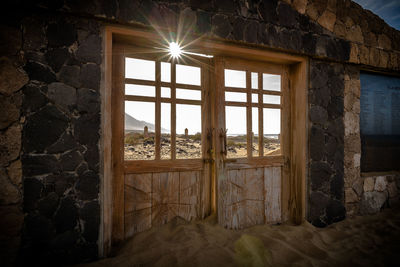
372	41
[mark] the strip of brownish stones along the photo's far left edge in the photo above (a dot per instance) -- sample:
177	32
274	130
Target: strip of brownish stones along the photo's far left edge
12	80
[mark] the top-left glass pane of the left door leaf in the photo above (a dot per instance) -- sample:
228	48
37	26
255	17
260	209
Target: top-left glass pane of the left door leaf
140	69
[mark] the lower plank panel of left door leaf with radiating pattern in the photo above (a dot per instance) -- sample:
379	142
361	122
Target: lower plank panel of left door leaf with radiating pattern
153	199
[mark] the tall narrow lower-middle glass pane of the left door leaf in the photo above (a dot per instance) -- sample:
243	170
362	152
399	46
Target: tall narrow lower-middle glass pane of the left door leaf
165	131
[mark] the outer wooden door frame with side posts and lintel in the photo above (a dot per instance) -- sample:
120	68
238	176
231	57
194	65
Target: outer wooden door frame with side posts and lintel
112	175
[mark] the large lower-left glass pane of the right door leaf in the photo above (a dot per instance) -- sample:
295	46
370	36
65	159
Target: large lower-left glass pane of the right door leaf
235	122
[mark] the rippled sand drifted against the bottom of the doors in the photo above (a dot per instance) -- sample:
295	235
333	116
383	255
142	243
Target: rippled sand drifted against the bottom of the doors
372	240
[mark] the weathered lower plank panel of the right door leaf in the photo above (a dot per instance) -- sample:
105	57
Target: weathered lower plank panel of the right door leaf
250	197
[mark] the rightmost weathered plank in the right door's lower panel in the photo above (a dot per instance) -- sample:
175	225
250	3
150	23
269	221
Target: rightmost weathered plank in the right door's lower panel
272	189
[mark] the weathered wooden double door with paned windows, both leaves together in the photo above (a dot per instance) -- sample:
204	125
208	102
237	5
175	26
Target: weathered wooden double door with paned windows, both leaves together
238	172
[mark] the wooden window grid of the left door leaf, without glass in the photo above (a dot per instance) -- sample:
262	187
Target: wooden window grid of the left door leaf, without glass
157	164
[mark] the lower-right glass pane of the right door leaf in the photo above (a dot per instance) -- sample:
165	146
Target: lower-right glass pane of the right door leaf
272	131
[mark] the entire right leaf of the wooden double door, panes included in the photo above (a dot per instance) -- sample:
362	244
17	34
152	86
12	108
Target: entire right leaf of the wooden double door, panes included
249	188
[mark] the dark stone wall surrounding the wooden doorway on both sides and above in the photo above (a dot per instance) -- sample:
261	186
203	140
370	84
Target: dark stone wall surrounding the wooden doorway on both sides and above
51	125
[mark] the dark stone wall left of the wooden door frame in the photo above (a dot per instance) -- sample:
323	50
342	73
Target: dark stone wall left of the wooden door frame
49	132
